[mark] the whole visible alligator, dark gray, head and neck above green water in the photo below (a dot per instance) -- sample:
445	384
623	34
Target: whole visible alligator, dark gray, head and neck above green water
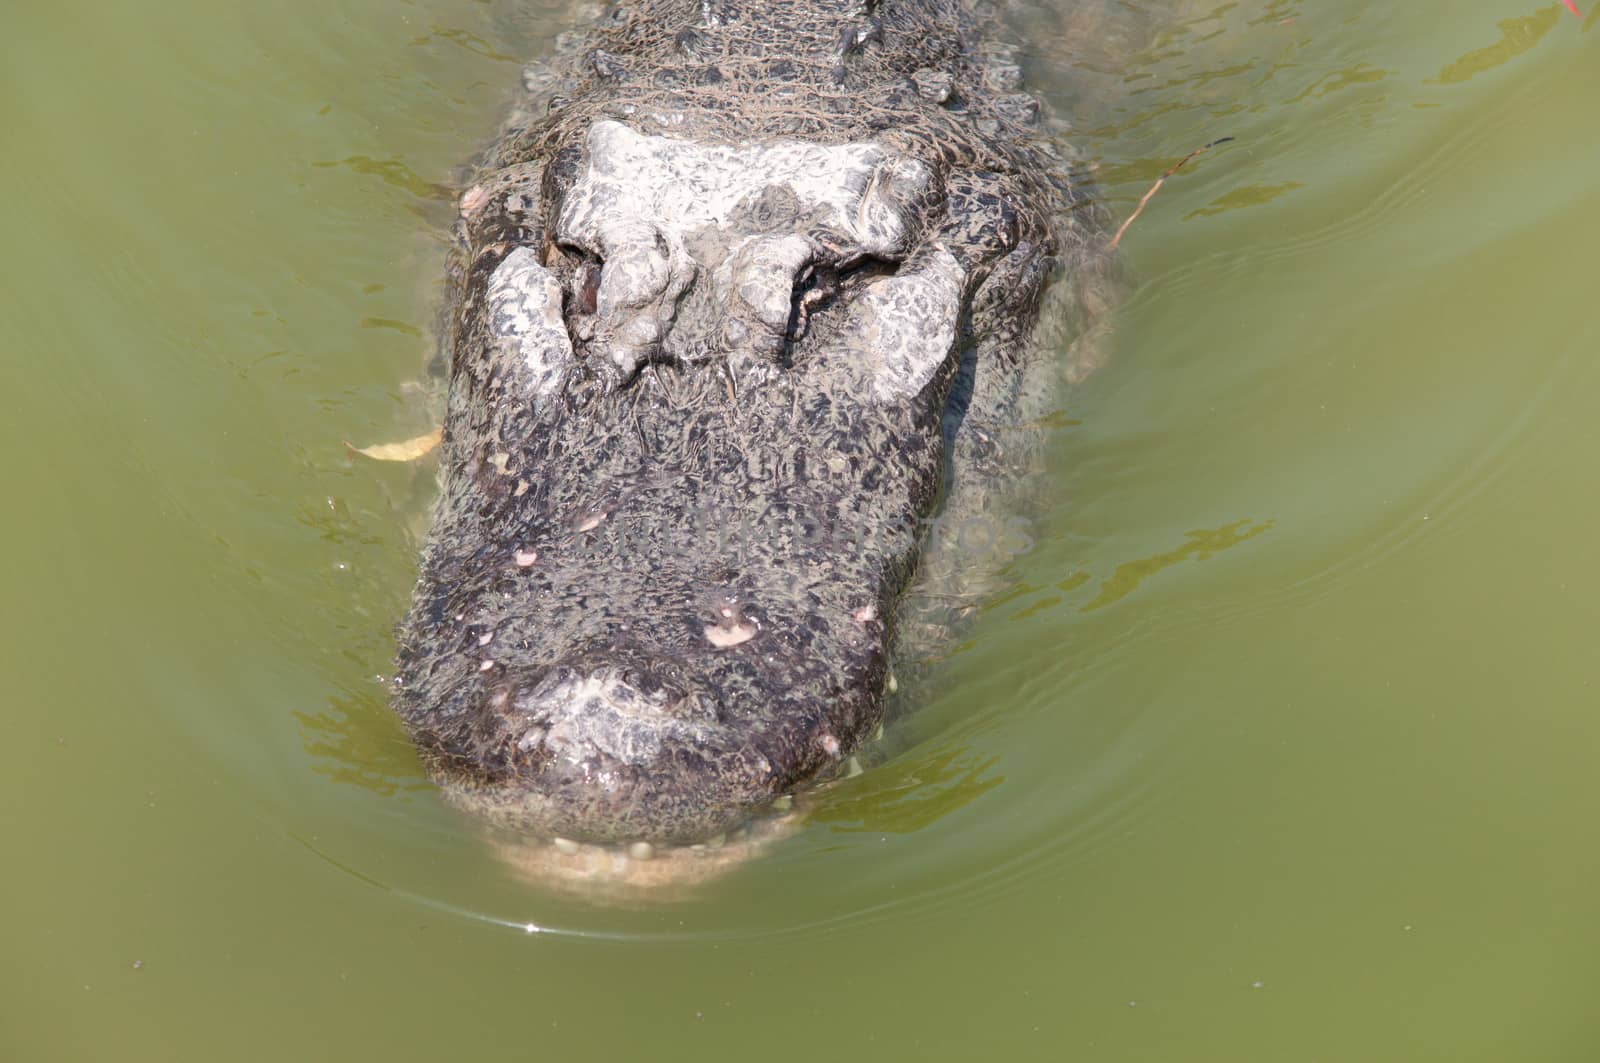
761	291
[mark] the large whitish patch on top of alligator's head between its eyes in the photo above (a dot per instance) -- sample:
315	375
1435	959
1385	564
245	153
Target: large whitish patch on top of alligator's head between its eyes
743	220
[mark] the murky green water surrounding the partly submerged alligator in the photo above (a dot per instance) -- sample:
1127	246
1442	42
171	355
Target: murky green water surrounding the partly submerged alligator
1281	747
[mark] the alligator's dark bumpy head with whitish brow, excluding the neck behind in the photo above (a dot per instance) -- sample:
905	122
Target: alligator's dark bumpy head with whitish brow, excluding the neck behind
700	404
